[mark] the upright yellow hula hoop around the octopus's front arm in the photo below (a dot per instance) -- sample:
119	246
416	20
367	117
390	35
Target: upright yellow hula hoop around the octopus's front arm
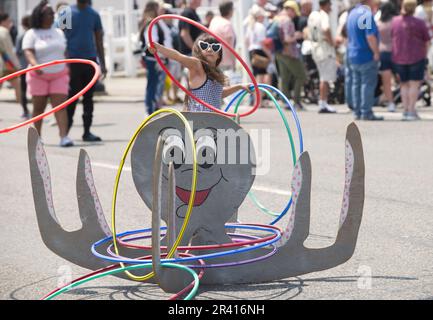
191	198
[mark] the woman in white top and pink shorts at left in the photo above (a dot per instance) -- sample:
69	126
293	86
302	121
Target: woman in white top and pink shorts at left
44	43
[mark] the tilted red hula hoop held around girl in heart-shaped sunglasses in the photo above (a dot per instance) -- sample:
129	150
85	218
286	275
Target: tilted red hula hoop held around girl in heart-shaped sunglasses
187	92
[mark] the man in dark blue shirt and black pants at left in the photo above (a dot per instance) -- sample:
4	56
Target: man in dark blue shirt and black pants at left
85	41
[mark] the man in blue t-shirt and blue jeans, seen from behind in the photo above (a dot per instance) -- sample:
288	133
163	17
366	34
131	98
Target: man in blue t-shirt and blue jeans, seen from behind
363	56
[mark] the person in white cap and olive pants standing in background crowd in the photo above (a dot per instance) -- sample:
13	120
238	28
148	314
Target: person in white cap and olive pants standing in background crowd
290	65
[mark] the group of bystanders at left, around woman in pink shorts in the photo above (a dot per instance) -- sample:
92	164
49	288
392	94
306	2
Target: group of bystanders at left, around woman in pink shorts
43	41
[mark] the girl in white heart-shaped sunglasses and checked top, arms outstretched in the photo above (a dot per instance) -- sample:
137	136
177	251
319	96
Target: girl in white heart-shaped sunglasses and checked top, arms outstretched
205	80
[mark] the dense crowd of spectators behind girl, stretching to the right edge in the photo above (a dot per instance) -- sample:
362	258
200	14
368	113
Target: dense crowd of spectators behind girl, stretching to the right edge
377	55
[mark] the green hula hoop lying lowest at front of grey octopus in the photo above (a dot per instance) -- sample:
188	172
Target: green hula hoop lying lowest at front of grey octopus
114	270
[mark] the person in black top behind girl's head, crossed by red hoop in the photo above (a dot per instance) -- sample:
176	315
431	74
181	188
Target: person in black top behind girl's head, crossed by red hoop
189	33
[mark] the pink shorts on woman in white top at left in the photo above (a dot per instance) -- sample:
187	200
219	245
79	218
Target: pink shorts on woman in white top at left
48	83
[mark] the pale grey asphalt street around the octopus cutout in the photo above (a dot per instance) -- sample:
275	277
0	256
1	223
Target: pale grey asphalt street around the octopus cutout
393	256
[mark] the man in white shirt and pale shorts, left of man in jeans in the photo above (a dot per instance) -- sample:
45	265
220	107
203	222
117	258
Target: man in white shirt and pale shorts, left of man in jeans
323	50
